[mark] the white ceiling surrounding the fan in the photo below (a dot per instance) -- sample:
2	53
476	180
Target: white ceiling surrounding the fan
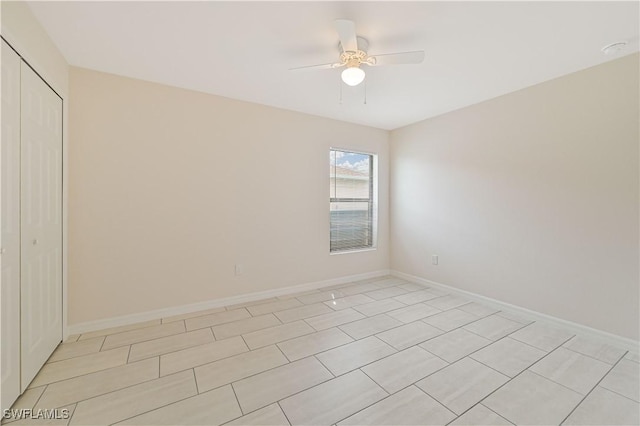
243	50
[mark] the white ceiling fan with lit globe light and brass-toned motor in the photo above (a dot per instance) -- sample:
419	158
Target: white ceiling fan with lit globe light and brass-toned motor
353	54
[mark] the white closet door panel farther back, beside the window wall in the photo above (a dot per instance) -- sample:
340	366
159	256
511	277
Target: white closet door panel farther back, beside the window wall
41	230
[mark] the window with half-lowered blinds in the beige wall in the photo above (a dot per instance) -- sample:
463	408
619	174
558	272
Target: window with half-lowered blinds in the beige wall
351	200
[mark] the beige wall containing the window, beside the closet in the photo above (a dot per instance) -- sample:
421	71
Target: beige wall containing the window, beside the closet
171	188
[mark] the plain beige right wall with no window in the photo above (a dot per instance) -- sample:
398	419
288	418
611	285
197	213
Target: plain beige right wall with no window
530	198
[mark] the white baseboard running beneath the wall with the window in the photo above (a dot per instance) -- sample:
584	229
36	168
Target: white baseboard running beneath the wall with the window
101	324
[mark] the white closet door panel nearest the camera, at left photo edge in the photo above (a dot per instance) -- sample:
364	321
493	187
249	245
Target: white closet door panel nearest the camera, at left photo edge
10	218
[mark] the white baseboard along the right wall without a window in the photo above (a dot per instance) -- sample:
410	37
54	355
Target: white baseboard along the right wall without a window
612	339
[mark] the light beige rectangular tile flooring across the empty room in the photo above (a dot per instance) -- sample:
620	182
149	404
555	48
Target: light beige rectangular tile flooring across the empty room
380	351
